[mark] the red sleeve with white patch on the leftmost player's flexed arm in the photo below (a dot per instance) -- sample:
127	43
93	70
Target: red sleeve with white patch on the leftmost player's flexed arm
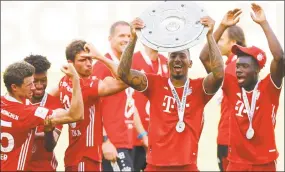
35	115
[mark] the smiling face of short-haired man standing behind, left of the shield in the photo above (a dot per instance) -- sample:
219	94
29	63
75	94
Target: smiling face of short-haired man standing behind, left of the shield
120	38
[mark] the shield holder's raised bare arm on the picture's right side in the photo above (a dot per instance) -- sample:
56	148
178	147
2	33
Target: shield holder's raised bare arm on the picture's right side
215	78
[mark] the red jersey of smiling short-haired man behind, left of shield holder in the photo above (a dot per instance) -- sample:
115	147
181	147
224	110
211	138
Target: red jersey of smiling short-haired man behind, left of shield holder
117	110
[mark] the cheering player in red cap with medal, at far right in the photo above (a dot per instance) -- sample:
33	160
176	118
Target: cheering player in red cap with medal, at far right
254	102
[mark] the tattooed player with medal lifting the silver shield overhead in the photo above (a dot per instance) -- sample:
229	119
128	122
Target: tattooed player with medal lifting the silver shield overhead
176	103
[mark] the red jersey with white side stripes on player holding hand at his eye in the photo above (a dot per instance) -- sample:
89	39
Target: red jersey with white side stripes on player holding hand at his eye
85	137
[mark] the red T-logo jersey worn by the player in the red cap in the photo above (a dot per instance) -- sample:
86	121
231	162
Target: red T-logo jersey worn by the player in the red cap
261	148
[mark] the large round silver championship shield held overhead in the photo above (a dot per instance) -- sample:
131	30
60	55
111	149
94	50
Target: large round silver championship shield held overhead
172	26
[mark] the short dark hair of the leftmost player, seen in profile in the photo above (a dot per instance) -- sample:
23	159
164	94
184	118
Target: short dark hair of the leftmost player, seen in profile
16	73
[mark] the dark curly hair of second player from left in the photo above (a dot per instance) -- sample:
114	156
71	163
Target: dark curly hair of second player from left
40	63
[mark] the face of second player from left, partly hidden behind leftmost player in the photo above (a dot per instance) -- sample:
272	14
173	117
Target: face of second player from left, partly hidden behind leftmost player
40	82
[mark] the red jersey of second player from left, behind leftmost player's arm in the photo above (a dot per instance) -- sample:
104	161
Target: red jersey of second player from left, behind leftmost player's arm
41	159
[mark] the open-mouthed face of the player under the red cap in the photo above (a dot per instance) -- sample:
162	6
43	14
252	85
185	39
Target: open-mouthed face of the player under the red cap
246	70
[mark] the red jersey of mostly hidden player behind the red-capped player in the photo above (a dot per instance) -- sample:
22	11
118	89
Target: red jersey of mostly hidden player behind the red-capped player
224	124
